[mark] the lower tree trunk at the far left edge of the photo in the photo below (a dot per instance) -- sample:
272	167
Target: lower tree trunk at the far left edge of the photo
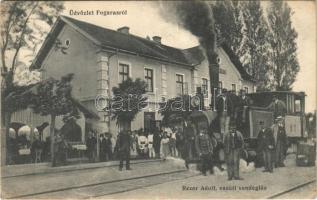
5	128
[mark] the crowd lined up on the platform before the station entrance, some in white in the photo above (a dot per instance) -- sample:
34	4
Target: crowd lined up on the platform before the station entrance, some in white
138	144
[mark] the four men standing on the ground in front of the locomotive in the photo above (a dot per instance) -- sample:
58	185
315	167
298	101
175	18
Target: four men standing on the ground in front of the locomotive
271	144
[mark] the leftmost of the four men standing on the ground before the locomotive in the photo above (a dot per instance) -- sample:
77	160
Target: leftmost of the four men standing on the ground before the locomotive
204	148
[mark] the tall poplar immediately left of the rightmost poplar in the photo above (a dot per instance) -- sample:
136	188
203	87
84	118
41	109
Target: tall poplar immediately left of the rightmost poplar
255	44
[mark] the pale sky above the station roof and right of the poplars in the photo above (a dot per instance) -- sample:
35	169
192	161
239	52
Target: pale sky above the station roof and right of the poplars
144	19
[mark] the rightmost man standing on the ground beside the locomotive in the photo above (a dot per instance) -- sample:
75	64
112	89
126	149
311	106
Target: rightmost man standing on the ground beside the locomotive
280	139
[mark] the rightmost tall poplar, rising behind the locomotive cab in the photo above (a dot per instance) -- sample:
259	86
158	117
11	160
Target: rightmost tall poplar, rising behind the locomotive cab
284	64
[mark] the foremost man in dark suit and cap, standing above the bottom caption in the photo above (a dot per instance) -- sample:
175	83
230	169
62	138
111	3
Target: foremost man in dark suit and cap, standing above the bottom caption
233	143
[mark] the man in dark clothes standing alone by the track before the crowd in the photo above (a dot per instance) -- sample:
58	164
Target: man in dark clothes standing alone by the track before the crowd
123	145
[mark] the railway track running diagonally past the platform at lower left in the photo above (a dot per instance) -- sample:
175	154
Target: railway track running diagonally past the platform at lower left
109	187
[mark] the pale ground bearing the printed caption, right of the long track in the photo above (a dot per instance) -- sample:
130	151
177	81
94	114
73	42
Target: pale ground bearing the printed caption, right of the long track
287	182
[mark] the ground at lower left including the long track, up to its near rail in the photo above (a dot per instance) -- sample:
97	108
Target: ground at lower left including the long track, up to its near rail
83	181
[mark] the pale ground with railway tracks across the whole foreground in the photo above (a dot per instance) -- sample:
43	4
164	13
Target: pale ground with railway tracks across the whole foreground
159	179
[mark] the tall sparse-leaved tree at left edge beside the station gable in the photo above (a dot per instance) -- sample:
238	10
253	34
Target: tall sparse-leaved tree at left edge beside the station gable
20	31
